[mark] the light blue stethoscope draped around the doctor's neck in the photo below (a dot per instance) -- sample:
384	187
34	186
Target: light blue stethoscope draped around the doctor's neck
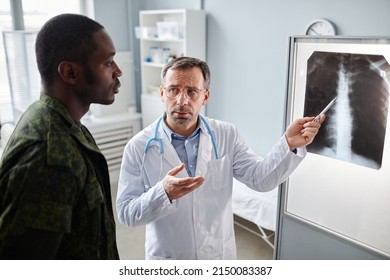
160	145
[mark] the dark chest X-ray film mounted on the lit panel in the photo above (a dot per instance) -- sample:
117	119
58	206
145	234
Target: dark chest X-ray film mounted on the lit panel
355	127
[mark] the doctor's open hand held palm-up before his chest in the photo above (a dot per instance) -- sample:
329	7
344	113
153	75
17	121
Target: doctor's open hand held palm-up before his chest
178	187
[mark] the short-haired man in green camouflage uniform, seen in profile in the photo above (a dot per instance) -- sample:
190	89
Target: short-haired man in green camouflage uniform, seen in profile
55	200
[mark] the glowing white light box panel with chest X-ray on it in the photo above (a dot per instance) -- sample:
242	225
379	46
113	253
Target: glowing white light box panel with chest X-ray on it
343	185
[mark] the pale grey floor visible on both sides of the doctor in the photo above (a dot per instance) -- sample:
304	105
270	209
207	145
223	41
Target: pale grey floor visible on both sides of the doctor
249	246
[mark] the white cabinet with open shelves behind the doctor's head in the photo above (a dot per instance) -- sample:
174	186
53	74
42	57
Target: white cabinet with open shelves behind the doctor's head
165	34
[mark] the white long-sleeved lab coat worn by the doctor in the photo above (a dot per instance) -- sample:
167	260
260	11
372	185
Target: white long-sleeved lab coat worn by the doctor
200	224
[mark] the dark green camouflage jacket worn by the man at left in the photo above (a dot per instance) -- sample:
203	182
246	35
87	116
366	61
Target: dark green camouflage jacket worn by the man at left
53	178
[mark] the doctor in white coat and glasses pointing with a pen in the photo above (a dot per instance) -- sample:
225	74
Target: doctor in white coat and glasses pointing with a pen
177	174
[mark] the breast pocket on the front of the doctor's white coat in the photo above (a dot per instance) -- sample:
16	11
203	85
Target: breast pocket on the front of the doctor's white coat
219	172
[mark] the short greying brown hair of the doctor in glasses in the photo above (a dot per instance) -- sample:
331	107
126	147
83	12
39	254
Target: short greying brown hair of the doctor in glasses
185	62
